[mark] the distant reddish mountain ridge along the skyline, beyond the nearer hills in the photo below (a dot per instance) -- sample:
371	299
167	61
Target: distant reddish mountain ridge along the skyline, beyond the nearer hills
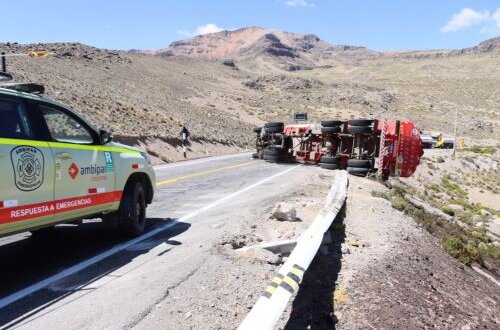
234	43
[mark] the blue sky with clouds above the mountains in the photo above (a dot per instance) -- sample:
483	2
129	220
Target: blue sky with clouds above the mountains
148	24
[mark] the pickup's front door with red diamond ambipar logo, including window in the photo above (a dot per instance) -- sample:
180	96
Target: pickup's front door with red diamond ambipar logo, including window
84	170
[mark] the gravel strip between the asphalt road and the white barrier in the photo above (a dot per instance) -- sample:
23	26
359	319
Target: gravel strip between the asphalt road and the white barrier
228	283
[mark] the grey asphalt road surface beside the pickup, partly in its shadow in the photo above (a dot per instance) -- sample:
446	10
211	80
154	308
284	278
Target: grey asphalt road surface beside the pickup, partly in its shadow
102	279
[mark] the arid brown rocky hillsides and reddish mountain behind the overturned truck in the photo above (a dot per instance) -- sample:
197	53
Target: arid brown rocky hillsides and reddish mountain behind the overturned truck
221	85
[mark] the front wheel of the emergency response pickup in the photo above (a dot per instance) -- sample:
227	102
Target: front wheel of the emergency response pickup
133	209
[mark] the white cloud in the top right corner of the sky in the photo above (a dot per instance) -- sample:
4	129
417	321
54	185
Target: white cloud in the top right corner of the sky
468	17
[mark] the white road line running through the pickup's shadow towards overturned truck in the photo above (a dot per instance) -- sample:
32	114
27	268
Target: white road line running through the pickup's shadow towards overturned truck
120	247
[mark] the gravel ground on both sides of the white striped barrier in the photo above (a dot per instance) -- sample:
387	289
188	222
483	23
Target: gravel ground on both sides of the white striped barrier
381	270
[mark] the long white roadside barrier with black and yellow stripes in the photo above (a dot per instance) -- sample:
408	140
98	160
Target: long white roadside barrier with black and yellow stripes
269	307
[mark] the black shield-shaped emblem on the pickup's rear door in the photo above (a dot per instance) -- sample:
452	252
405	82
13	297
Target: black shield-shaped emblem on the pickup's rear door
28	163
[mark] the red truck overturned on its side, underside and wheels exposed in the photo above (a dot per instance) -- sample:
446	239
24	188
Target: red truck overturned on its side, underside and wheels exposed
361	146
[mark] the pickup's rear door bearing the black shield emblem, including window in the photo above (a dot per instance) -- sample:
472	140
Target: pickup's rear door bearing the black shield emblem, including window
26	171
